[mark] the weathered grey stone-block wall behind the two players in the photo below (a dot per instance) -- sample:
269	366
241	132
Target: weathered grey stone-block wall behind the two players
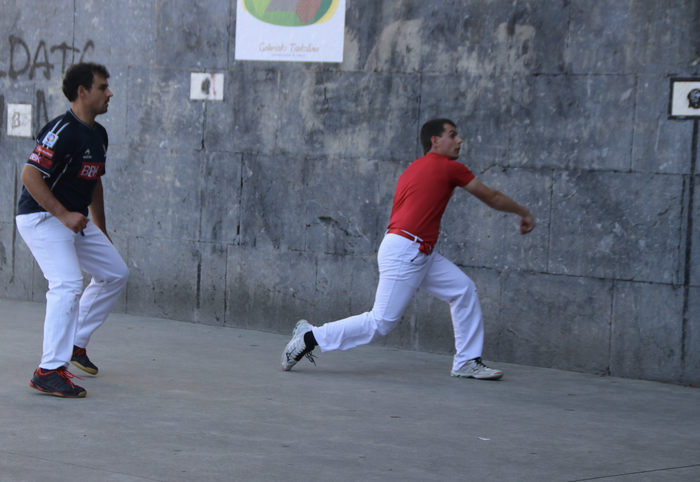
270	206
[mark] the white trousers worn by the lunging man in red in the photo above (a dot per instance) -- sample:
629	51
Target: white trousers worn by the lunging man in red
403	269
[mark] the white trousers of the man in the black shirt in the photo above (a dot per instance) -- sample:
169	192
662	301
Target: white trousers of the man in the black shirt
62	255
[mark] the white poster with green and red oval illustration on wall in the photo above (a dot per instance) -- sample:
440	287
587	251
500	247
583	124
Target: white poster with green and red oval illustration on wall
290	30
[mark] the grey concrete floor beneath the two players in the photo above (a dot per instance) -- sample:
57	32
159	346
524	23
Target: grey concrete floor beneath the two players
184	402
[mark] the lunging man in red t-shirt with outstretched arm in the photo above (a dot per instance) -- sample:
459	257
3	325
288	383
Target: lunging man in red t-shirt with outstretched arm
407	261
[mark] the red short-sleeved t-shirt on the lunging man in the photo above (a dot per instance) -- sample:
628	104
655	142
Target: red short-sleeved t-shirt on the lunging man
422	194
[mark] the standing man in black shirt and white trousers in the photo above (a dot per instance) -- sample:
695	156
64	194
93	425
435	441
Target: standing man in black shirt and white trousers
62	187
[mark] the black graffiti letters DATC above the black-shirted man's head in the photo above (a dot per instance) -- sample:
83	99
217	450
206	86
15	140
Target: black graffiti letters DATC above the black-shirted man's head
23	62
